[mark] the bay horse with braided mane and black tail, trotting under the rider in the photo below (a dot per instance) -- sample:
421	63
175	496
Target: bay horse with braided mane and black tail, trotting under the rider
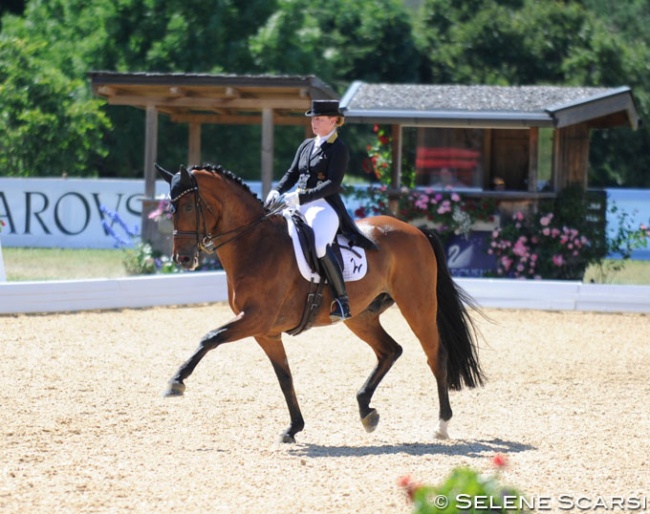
214	210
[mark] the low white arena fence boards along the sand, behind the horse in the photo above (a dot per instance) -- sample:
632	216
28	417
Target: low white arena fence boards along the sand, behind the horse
207	287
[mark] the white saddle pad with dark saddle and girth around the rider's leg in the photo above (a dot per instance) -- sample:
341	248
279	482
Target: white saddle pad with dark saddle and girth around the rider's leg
305	251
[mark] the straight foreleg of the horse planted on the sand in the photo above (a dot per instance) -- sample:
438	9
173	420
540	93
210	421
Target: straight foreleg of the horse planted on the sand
274	349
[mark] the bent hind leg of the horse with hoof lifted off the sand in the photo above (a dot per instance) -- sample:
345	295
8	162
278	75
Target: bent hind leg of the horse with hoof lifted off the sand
367	327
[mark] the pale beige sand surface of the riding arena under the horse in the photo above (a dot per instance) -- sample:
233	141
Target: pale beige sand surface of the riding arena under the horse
84	427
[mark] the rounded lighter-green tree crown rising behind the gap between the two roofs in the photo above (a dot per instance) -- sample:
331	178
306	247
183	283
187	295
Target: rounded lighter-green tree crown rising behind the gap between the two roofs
340	41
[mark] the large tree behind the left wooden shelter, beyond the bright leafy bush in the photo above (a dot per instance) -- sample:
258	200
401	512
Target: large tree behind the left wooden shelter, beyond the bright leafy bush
77	36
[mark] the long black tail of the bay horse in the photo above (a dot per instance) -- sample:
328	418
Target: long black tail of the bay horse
458	335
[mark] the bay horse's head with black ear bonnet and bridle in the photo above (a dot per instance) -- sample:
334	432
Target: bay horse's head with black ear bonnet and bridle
190	229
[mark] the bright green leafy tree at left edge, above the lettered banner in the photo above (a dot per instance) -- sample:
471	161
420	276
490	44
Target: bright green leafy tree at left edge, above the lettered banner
48	125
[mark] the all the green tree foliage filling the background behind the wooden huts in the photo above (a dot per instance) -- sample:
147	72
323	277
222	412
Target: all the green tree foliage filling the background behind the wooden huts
55	43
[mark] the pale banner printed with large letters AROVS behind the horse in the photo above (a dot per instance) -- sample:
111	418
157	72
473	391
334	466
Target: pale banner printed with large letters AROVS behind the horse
68	213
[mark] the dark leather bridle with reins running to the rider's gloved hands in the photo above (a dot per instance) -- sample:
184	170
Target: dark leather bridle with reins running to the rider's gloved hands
204	240
